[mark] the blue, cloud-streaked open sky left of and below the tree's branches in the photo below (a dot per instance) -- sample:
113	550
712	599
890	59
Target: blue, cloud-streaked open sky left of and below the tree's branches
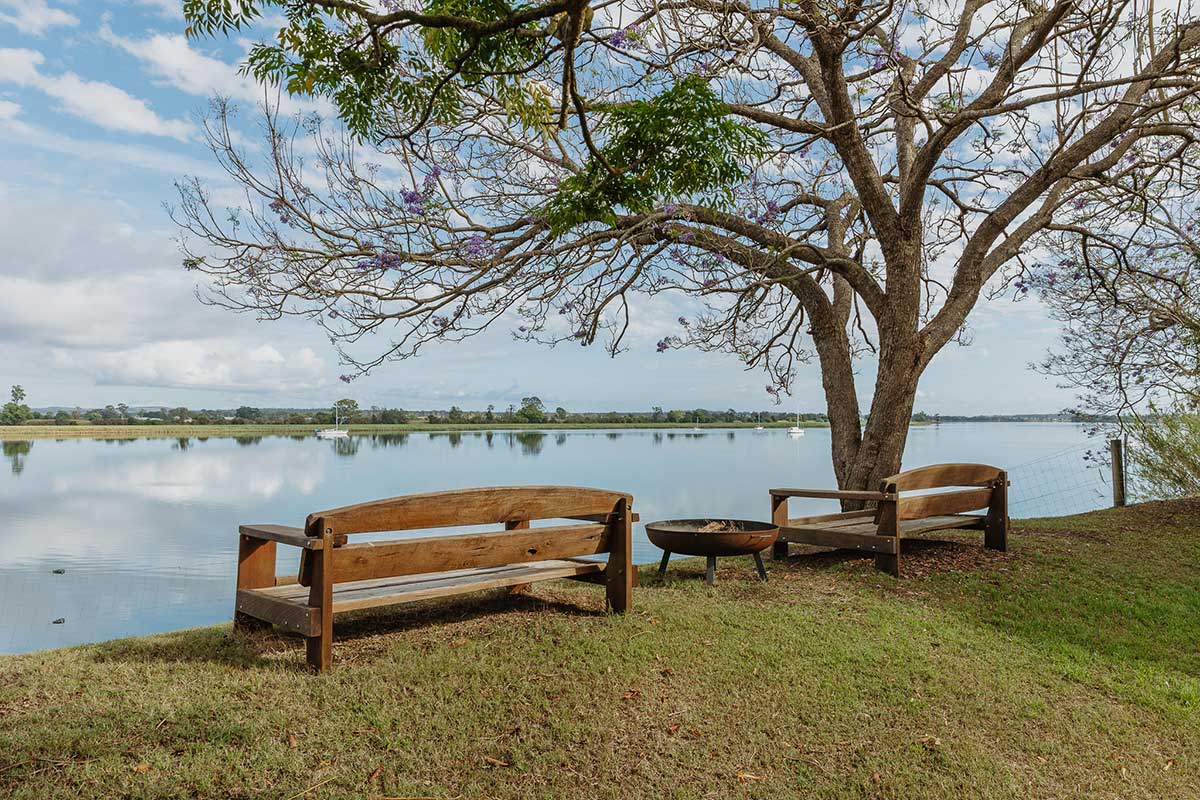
99	118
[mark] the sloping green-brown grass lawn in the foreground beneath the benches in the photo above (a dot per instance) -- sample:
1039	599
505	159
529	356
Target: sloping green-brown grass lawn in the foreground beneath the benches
1067	669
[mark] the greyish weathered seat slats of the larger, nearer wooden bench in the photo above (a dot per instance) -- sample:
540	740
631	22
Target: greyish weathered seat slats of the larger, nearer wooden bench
389	592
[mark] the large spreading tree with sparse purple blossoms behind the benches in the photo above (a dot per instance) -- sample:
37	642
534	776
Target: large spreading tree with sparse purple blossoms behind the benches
829	181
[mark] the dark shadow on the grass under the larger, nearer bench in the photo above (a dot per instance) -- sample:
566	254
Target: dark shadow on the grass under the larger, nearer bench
263	648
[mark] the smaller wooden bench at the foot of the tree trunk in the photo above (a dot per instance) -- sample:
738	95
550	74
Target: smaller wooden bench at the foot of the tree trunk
892	518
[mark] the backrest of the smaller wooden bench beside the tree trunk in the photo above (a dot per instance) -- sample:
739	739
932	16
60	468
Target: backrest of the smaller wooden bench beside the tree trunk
977	486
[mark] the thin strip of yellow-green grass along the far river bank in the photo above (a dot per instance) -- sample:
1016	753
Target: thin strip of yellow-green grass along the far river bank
27	432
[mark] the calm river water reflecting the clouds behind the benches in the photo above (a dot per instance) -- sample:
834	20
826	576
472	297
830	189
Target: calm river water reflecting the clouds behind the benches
146	530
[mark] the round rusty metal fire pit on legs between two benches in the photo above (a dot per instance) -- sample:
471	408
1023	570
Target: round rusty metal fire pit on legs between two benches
730	538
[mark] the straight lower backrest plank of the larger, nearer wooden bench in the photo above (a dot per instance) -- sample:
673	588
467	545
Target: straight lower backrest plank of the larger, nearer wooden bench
467	551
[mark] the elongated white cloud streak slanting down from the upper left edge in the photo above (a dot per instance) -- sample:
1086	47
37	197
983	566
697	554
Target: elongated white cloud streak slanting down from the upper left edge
98	103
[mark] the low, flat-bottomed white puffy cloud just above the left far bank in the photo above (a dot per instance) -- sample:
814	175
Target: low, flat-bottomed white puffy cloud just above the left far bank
212	365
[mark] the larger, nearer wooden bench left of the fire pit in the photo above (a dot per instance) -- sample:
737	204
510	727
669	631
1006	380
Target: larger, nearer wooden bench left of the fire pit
337	576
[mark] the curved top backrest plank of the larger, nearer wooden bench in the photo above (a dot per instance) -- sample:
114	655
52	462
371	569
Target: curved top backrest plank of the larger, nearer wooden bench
467	508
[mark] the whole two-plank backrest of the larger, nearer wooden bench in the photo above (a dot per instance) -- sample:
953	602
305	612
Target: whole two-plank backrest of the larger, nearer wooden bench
605	516
